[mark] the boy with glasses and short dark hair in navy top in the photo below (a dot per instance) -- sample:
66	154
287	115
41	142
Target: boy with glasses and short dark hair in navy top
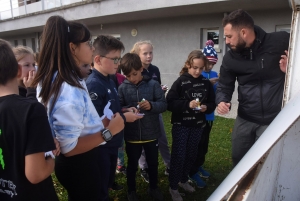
103	90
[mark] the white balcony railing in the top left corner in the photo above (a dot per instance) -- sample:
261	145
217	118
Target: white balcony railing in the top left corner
14	8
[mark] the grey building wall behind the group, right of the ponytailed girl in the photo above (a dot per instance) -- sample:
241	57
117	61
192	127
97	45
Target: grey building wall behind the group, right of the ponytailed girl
175	38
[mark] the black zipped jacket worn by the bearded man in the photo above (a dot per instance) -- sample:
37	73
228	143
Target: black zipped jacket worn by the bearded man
260	80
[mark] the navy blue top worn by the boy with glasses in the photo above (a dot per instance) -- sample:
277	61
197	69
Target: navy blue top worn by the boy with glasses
102	89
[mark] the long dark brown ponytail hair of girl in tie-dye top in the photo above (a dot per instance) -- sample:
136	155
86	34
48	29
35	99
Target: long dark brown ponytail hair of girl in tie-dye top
56	56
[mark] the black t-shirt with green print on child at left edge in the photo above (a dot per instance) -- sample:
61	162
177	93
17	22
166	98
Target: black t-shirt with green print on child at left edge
24	130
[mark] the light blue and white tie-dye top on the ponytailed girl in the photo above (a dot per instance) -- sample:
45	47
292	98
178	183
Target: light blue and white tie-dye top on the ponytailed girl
73	115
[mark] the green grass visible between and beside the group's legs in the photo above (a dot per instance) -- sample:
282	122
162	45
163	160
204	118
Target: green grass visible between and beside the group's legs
218	163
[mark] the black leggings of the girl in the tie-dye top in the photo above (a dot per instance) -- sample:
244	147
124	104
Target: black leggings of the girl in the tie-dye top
79	175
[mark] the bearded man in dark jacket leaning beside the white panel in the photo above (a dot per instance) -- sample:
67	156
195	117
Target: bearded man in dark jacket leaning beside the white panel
257	60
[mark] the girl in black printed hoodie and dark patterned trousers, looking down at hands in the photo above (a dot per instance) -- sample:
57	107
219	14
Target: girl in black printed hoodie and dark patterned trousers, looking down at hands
189	99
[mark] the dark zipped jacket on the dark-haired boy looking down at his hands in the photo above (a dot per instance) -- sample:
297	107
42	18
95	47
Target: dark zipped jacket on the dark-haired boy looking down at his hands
130	94
